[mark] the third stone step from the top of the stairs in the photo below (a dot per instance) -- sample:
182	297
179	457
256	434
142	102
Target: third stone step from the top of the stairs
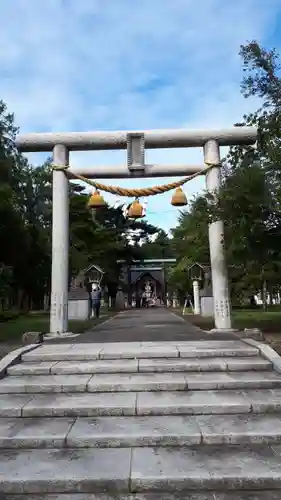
121	382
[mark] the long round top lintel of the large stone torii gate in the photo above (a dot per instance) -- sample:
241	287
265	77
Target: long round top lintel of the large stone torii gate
166	138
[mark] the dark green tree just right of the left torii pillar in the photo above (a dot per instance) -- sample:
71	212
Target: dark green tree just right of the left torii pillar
103	237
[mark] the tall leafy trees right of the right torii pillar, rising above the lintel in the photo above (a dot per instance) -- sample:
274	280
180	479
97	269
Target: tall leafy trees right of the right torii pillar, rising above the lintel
252	177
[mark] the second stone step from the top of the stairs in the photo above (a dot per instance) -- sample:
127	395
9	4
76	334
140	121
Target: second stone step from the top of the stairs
141	365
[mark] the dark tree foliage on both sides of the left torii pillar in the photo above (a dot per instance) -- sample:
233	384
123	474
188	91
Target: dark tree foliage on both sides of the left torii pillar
102	238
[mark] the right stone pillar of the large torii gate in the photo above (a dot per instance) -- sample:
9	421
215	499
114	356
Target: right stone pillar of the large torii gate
221	299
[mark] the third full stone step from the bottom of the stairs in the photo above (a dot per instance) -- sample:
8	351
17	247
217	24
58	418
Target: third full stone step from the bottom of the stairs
143	403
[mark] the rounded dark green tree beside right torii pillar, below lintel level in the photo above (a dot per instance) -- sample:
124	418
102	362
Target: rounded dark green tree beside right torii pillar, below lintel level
252	230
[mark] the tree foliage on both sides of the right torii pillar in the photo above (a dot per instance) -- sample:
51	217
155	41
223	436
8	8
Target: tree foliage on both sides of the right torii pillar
249	200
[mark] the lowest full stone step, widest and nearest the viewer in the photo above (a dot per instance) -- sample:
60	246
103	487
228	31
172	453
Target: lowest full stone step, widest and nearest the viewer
141	470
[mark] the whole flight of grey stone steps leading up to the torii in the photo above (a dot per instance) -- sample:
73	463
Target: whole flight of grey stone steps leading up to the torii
143	420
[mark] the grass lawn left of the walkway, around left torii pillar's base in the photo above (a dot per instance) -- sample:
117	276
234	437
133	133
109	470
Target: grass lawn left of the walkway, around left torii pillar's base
12	330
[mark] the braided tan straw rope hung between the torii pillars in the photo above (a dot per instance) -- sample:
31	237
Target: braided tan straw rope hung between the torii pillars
137	192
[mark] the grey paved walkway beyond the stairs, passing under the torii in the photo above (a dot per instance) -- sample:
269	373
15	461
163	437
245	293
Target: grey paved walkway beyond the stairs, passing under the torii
145	325
